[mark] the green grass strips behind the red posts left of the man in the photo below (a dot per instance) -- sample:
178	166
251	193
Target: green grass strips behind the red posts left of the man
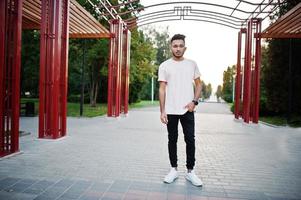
88	111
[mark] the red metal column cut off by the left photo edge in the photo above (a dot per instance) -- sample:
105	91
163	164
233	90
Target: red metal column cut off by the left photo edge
10	59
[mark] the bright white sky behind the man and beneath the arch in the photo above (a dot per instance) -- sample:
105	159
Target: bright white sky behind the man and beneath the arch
212	46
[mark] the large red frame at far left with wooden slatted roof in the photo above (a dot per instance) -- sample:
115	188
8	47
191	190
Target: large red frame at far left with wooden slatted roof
54	15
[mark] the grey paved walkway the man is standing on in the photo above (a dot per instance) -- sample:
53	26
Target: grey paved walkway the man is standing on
127	158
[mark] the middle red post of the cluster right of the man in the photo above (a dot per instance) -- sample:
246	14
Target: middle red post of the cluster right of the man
247	73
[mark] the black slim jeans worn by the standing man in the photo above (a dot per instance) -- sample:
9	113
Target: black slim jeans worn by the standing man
187	122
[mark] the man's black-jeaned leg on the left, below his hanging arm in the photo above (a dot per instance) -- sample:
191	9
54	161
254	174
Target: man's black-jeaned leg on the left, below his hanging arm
172	128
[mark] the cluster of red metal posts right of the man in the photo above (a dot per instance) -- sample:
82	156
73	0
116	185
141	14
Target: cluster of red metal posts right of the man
247	84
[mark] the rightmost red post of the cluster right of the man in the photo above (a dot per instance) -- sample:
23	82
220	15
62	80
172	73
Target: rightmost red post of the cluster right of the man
257	72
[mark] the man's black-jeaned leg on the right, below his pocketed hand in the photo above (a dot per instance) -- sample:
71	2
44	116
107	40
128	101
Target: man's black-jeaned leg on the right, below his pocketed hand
187	121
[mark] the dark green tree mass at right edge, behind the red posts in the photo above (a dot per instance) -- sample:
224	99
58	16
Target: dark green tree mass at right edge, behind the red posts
282	84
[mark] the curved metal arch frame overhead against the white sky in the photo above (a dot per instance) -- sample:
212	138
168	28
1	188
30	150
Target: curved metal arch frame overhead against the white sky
233	14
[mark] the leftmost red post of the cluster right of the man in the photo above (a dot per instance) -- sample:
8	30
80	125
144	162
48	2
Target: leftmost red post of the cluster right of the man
238	76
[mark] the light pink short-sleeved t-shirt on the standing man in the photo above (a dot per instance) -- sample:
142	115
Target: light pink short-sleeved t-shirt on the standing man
179	76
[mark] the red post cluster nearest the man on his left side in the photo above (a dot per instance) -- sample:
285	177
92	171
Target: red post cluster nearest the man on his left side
118	72
